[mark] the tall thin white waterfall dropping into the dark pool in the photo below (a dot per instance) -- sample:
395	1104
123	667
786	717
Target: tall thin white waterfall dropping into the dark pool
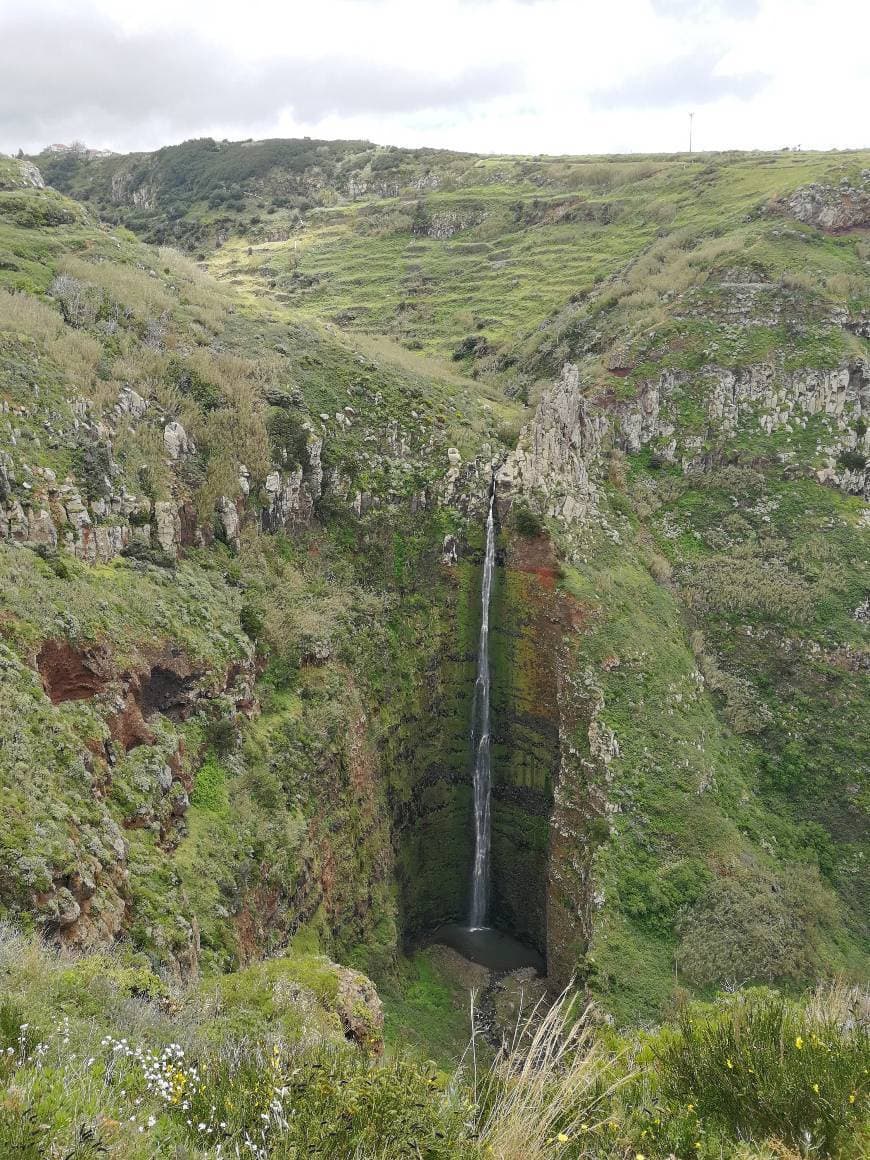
481	738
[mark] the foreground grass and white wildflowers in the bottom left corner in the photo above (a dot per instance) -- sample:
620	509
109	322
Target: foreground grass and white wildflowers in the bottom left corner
92	1065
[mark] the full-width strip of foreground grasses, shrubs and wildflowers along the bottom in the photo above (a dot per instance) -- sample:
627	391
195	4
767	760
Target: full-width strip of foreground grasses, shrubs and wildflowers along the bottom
113	1064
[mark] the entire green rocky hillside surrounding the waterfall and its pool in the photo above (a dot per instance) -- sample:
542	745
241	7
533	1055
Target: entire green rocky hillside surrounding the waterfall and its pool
243	494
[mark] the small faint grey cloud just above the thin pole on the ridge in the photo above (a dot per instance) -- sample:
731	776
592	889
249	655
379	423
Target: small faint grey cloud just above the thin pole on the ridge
687	81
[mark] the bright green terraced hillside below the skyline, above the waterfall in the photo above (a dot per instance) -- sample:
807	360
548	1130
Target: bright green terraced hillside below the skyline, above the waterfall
549	234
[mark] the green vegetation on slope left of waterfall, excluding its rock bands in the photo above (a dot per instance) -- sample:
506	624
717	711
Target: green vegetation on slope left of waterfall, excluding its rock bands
250	842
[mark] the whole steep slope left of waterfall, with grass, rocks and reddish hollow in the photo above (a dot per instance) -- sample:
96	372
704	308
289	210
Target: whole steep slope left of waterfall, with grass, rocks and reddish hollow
223	608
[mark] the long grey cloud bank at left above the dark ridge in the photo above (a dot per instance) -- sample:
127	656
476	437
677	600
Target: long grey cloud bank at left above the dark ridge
77	75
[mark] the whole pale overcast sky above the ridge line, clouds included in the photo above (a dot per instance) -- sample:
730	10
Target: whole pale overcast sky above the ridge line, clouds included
487	76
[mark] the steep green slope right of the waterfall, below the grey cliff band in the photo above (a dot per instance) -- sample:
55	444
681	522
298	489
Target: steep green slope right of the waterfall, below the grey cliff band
736	851
